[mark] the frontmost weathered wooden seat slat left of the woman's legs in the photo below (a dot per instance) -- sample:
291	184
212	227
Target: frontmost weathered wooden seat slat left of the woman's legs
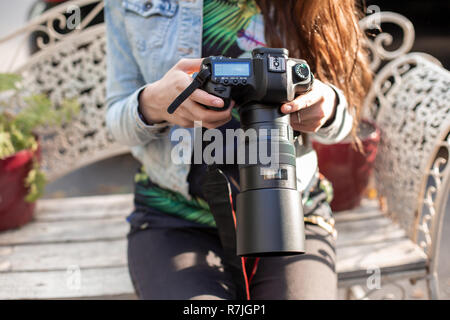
61	284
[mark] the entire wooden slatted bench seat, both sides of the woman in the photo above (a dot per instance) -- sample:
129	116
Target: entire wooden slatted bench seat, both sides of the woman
88	234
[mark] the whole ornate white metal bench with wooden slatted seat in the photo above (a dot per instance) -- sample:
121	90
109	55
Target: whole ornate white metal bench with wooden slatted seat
76	247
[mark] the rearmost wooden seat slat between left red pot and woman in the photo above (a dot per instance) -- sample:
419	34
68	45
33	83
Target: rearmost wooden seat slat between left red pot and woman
82	208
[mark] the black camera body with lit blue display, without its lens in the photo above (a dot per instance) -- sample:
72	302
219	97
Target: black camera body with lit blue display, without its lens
270	76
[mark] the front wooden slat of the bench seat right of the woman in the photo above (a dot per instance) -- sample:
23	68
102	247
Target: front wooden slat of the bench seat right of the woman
394	256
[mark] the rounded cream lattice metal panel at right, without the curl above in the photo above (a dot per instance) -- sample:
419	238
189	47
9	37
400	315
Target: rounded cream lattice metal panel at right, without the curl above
409	100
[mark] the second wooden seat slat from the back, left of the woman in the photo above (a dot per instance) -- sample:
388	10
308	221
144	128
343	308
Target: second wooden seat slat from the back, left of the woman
66	231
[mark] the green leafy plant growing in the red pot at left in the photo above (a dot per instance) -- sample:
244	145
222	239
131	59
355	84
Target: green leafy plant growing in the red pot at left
17	128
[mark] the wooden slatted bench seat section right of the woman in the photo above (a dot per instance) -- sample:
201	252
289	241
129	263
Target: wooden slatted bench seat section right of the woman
369	242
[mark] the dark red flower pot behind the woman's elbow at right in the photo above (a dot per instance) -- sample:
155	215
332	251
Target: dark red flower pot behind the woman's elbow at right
348	169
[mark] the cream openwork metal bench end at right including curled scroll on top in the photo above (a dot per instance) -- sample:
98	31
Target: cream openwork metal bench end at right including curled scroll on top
409	101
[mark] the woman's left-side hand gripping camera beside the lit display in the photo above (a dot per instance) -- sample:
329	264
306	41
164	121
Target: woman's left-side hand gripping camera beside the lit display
156	97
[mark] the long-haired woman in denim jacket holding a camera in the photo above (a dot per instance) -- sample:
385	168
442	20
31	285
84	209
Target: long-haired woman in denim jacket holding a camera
175	250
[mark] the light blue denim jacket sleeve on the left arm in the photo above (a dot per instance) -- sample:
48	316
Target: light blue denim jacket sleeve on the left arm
124	84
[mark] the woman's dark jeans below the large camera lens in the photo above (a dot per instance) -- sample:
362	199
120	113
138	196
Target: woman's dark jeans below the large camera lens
171	259
